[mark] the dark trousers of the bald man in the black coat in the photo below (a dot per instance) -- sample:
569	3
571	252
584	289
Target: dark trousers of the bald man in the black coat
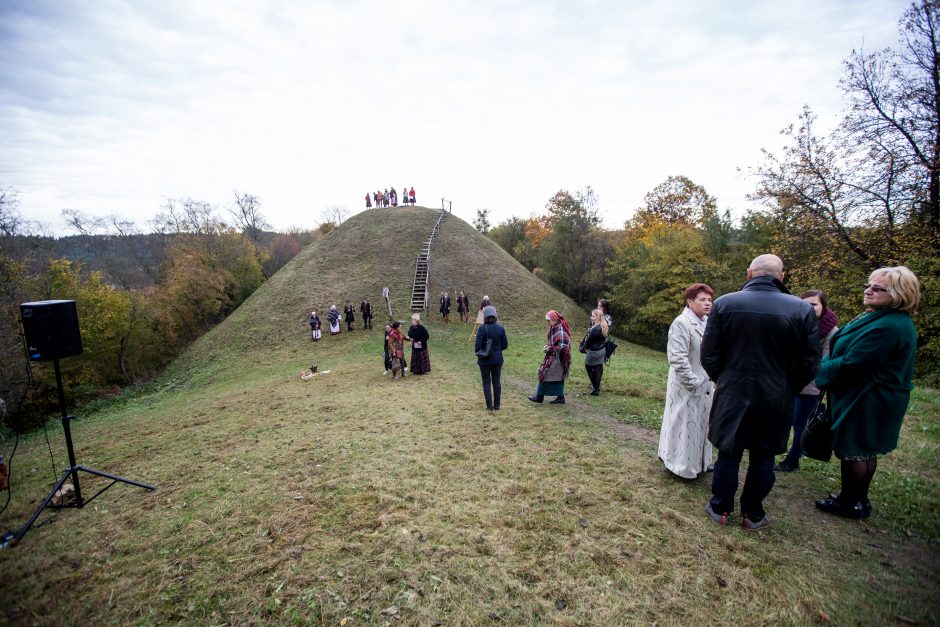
757	483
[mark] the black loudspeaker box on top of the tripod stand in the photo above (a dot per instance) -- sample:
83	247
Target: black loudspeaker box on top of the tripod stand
51	329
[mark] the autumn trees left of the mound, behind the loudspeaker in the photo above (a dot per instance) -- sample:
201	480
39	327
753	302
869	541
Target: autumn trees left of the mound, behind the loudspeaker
142	297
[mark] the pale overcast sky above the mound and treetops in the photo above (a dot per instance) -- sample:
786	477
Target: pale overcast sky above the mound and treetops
111	106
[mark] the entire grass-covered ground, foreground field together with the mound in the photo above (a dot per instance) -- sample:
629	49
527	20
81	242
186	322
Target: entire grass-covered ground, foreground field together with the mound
357	498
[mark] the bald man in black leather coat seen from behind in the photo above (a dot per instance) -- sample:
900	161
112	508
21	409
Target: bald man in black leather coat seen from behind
761	346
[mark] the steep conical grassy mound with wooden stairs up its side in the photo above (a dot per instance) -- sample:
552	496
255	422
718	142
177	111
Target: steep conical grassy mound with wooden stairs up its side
371	250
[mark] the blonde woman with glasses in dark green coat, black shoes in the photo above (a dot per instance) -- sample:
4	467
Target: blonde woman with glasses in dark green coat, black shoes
869	376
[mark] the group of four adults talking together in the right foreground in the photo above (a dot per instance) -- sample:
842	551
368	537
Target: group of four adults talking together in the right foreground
747	367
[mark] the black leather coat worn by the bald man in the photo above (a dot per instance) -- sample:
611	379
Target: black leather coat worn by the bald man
761	346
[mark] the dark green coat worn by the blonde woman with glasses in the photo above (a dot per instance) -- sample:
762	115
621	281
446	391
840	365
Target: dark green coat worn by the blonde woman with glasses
868	376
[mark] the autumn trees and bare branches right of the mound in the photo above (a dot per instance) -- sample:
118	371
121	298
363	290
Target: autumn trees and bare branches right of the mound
834	206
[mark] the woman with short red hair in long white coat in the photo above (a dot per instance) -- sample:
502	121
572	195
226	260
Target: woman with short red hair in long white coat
683	441
